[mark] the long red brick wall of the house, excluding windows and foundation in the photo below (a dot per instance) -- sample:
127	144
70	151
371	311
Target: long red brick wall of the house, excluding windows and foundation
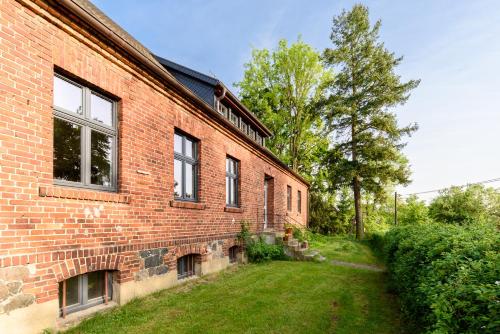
61	231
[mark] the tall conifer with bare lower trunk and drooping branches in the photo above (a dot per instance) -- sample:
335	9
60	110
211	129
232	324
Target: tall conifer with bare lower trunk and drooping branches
367	151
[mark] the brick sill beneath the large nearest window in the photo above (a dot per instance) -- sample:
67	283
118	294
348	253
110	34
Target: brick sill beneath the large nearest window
82	194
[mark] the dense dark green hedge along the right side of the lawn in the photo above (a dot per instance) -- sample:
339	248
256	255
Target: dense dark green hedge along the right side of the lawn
447	276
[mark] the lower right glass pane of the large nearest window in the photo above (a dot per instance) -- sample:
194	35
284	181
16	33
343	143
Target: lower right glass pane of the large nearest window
100	159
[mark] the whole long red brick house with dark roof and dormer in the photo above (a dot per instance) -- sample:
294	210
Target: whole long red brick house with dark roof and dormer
121	173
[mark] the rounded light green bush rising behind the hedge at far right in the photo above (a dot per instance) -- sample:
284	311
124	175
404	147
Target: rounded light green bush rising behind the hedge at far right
465	206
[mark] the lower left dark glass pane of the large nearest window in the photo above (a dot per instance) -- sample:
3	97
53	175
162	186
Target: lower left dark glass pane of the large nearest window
67	150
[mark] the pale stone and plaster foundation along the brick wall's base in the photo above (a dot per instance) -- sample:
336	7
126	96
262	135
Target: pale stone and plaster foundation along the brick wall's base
20	313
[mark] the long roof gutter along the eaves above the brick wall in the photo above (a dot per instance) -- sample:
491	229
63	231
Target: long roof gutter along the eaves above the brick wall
159	70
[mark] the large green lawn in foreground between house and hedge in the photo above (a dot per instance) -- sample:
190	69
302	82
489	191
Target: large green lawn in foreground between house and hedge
275	297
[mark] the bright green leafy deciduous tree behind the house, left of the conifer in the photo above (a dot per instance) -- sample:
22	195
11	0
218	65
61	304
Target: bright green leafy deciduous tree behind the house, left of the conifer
282	87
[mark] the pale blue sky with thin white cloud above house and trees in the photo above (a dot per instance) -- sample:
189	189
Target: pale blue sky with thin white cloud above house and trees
452	46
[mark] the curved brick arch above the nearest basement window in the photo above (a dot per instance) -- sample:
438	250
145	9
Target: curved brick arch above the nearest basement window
74	267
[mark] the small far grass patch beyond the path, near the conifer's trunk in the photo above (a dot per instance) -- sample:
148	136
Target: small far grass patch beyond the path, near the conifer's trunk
344	249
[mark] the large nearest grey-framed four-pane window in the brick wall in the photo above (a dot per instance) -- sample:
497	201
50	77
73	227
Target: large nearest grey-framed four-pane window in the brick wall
85	137
